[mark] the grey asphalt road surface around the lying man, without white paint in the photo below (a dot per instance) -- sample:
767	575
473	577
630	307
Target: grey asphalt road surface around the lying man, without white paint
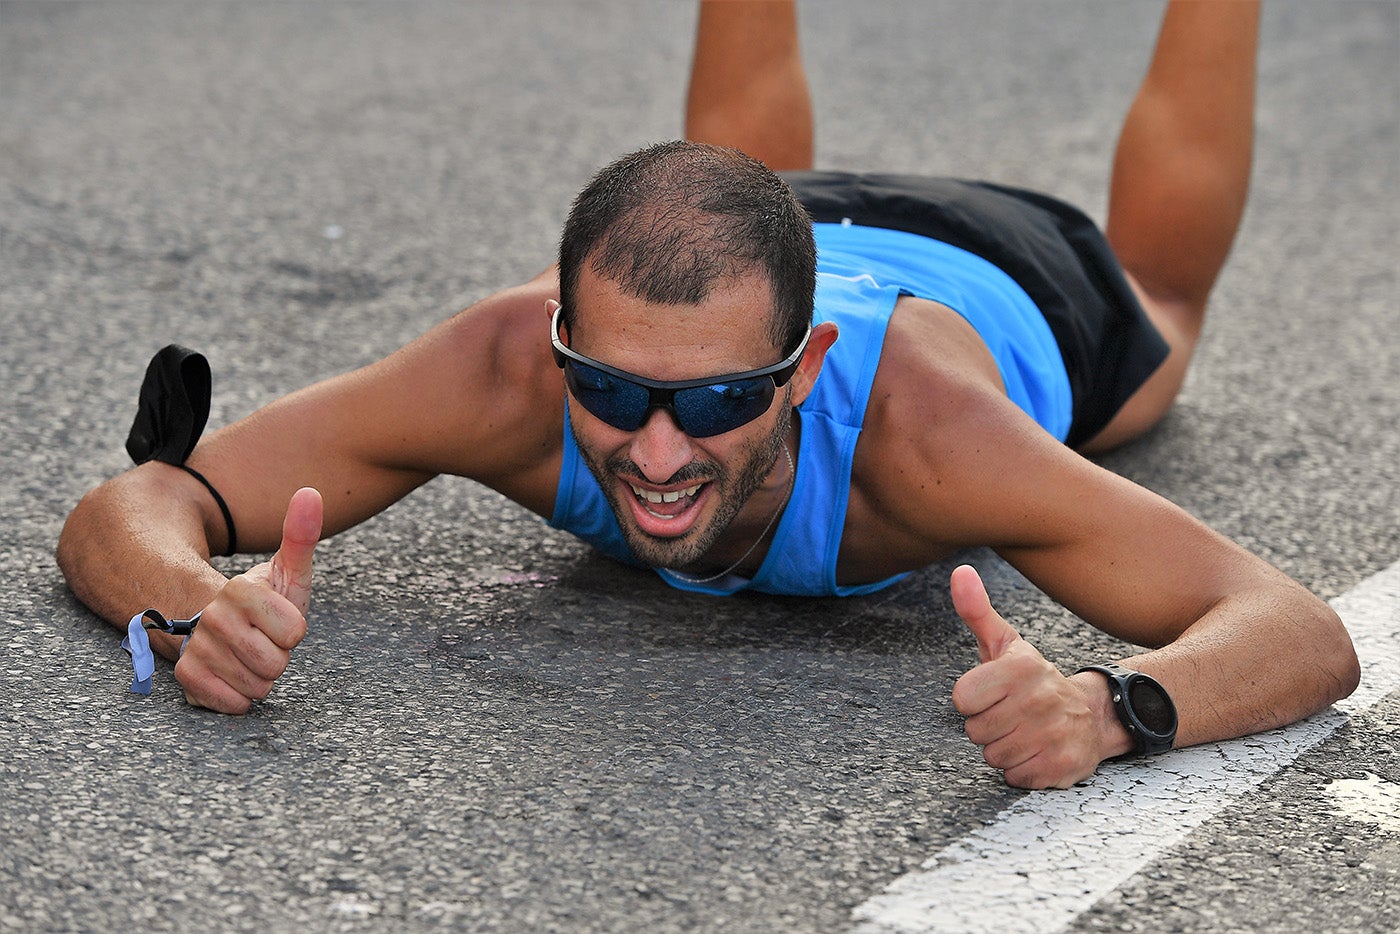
489	727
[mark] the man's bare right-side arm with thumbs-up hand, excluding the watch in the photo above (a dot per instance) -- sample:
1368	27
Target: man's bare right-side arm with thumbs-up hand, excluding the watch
1240	646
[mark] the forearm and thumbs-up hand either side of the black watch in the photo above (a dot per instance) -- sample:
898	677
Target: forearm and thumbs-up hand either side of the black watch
1255	662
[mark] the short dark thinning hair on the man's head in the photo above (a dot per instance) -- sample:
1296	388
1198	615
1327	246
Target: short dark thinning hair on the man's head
670	222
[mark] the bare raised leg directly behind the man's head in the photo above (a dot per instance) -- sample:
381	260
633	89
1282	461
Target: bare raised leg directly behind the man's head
747	83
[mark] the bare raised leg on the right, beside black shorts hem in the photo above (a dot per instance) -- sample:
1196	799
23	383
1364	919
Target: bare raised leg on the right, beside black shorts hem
1181	179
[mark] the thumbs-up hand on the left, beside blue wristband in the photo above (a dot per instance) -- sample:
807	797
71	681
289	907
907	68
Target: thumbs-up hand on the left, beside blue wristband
246	636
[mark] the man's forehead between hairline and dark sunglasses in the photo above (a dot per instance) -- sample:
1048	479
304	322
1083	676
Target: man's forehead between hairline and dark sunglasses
726	333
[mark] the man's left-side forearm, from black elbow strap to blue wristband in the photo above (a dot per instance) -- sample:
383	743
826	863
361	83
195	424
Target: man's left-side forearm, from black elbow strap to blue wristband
142	540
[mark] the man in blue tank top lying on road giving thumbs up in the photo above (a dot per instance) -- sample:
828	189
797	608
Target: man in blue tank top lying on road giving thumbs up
668	394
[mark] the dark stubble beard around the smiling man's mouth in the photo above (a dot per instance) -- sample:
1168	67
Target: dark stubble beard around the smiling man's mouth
731	489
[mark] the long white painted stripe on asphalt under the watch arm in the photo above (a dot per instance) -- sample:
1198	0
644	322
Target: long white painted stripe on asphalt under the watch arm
1053	855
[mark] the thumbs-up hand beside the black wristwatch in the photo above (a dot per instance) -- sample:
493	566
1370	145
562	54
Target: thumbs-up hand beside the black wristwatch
1034	725
